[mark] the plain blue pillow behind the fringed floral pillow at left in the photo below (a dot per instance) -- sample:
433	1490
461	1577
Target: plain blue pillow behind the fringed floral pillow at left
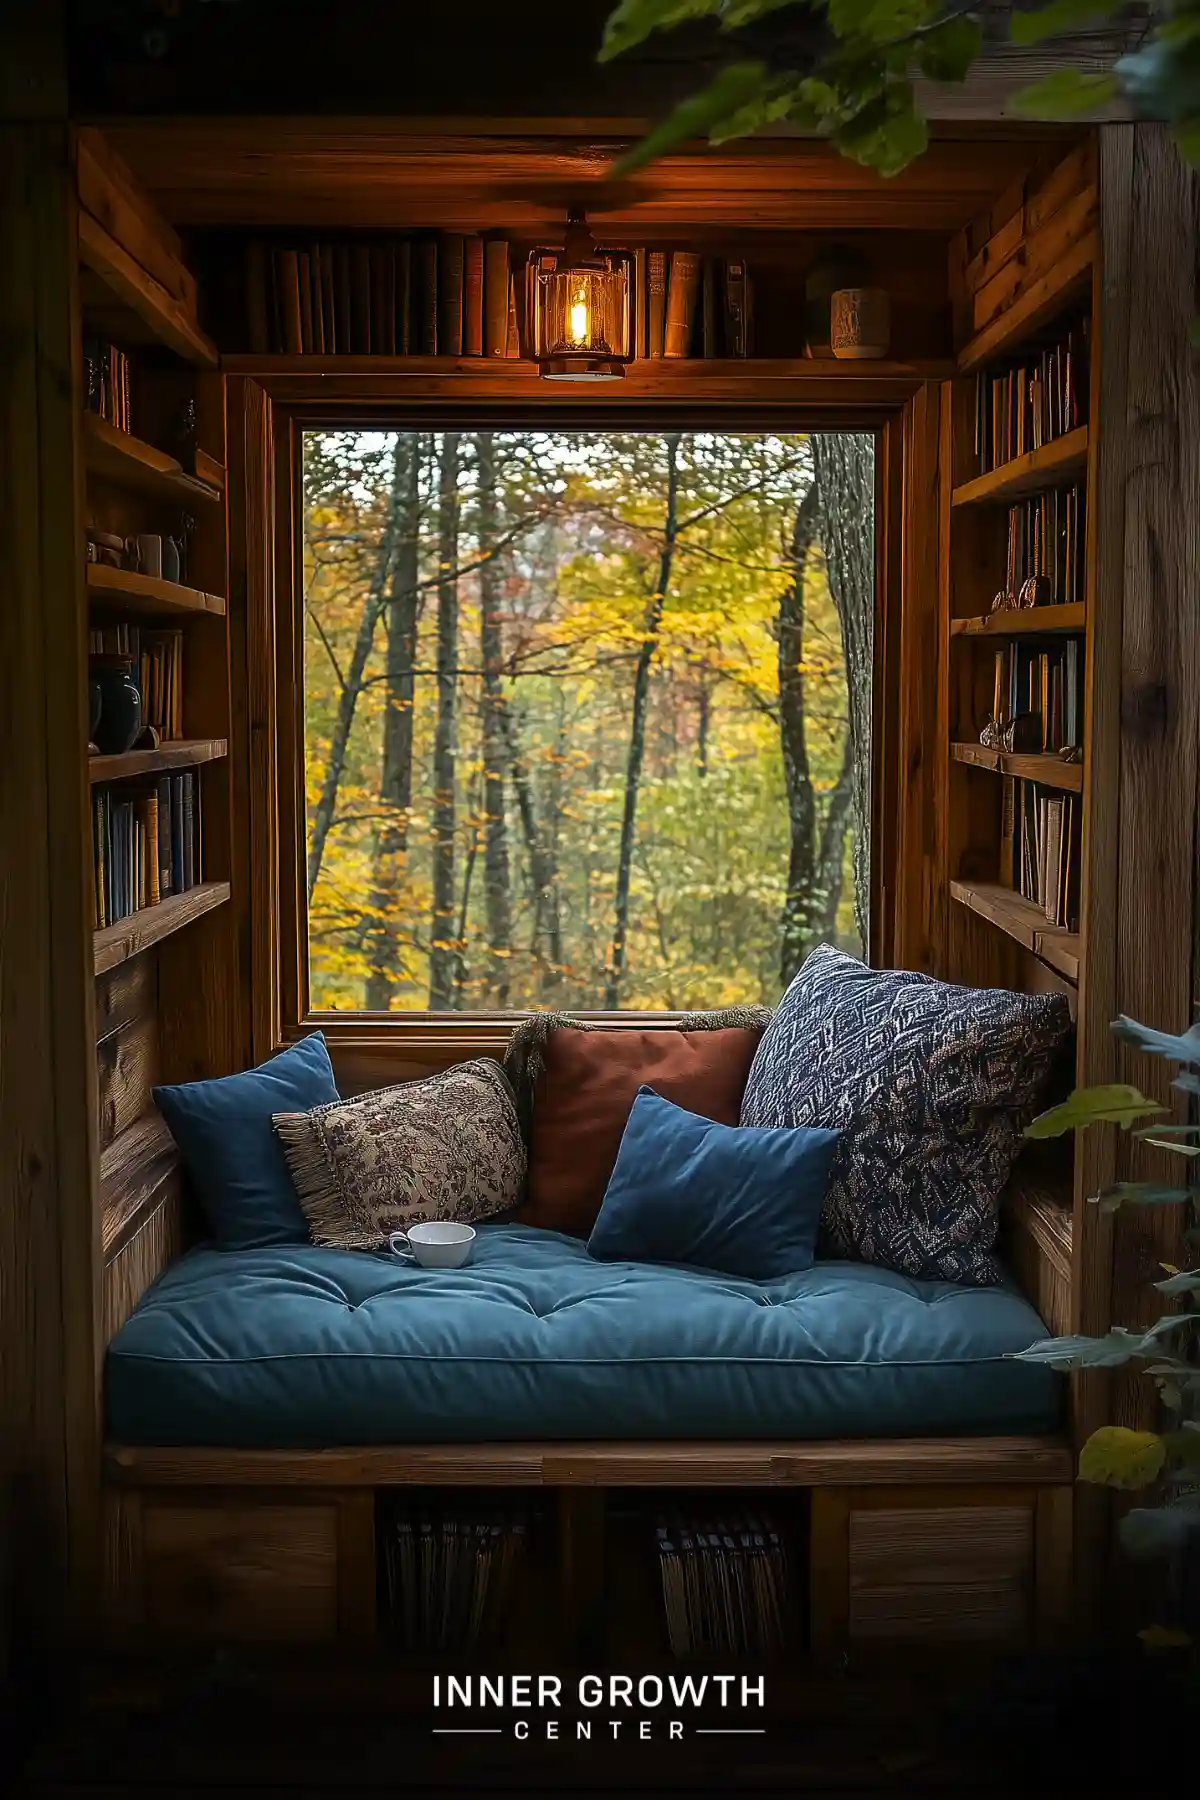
231	1151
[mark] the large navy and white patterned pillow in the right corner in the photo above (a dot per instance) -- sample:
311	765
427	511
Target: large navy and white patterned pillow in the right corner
927	1084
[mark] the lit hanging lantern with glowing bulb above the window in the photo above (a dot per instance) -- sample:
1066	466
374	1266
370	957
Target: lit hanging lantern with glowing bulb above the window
580	301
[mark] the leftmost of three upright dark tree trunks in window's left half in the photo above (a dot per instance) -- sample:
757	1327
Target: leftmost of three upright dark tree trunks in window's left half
391	847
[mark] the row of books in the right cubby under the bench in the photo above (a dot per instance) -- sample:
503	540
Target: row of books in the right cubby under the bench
726	1587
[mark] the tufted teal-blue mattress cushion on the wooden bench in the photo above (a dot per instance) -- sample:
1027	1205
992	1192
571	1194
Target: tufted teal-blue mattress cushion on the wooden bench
305	1347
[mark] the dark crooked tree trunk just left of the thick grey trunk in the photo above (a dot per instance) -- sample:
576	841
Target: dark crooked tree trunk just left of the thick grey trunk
796	924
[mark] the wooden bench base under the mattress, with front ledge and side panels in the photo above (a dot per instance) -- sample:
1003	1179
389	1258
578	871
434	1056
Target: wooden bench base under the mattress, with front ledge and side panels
911	1542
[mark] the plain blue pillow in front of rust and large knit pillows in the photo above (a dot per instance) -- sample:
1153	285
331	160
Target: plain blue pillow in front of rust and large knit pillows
746	1201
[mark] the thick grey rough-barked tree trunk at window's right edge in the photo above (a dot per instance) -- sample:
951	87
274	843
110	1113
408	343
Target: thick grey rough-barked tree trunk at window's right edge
845	478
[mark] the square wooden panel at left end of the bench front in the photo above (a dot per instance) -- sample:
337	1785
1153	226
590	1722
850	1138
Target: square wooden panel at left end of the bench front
240	1572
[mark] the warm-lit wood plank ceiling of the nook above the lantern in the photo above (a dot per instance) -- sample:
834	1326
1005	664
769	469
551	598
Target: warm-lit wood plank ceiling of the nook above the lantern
404	175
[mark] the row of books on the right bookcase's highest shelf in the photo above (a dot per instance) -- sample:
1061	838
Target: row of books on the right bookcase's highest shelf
1034	402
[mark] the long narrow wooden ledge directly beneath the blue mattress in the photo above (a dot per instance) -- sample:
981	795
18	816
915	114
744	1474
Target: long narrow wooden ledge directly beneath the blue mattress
935	1461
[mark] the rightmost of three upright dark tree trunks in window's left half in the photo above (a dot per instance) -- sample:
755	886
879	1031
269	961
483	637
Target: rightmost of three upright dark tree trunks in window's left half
497	877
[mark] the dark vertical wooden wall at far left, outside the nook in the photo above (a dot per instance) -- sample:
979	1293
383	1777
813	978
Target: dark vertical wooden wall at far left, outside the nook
49	1241
